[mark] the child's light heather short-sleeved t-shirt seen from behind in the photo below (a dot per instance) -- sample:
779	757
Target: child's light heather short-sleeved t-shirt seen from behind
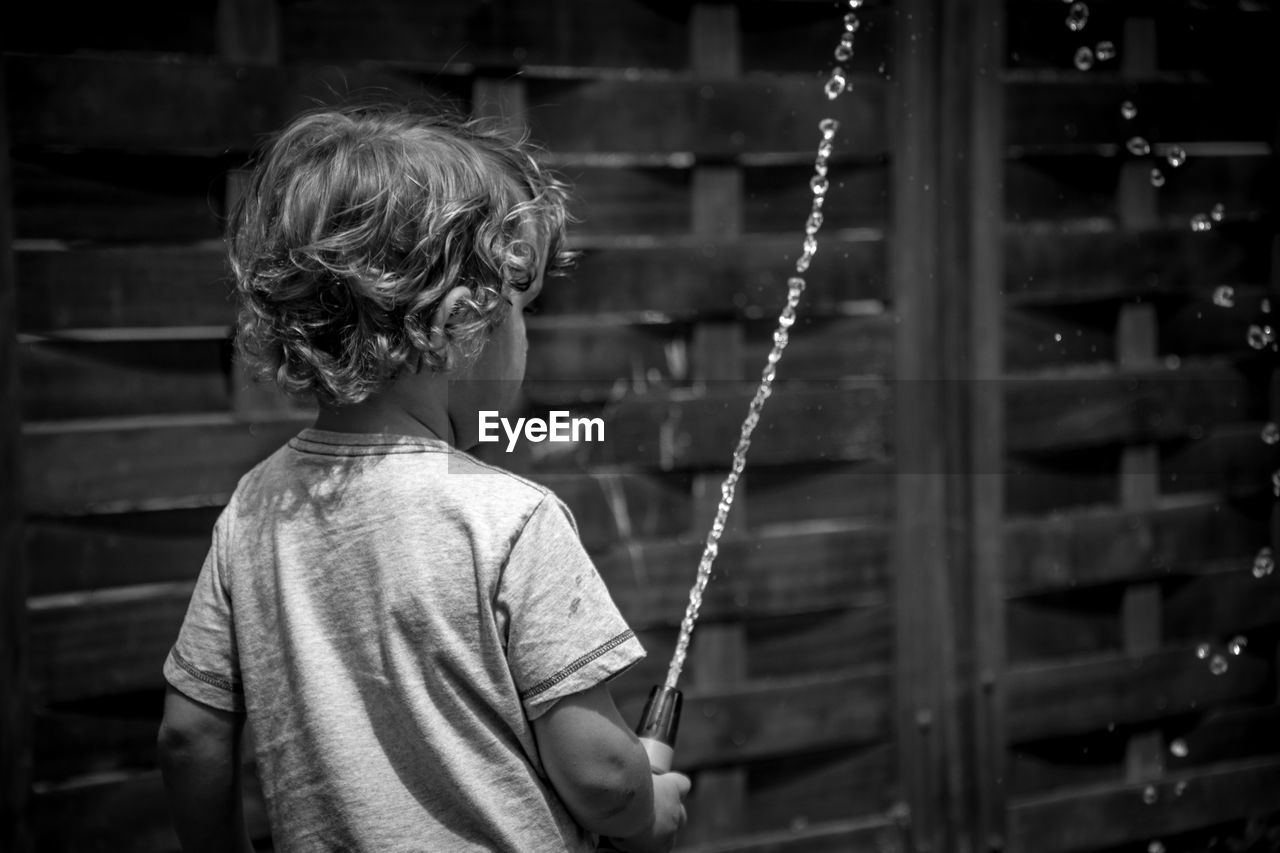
392	614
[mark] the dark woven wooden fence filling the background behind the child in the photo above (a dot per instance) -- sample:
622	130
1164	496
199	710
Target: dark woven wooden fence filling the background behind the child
989	519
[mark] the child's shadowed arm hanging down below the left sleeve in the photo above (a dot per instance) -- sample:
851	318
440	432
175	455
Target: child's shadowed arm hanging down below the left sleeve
199	752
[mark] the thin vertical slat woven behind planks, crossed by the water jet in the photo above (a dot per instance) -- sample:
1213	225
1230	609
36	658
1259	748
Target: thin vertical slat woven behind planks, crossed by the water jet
719	654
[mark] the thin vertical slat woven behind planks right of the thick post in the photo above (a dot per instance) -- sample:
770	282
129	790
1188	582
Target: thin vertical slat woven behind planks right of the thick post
1137	331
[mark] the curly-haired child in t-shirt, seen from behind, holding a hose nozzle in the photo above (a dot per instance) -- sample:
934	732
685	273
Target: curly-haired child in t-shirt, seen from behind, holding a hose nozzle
418	640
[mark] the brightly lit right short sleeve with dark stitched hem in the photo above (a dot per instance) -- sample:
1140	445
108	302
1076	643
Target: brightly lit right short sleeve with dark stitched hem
564	632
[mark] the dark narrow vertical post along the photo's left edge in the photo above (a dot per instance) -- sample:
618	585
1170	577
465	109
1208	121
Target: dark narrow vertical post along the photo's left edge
15	696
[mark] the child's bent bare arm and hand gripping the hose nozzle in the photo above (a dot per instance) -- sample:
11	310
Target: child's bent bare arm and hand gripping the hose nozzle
602	773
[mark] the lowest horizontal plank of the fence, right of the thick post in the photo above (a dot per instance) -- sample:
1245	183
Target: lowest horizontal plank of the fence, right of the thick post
1109	815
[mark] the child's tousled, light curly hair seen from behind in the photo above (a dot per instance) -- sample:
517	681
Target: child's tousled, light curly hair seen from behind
358	222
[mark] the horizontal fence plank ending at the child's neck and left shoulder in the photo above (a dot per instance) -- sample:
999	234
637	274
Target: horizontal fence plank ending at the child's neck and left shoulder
125	466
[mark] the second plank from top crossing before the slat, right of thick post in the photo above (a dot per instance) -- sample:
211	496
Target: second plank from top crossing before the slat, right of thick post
1107	264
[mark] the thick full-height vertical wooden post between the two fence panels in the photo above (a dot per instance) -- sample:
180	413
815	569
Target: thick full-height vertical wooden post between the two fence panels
947	272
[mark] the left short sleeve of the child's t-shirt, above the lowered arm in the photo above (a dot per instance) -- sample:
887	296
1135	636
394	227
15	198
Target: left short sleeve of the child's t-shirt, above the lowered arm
204	664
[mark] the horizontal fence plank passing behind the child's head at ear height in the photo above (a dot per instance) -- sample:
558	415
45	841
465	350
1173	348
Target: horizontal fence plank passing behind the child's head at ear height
678	280
